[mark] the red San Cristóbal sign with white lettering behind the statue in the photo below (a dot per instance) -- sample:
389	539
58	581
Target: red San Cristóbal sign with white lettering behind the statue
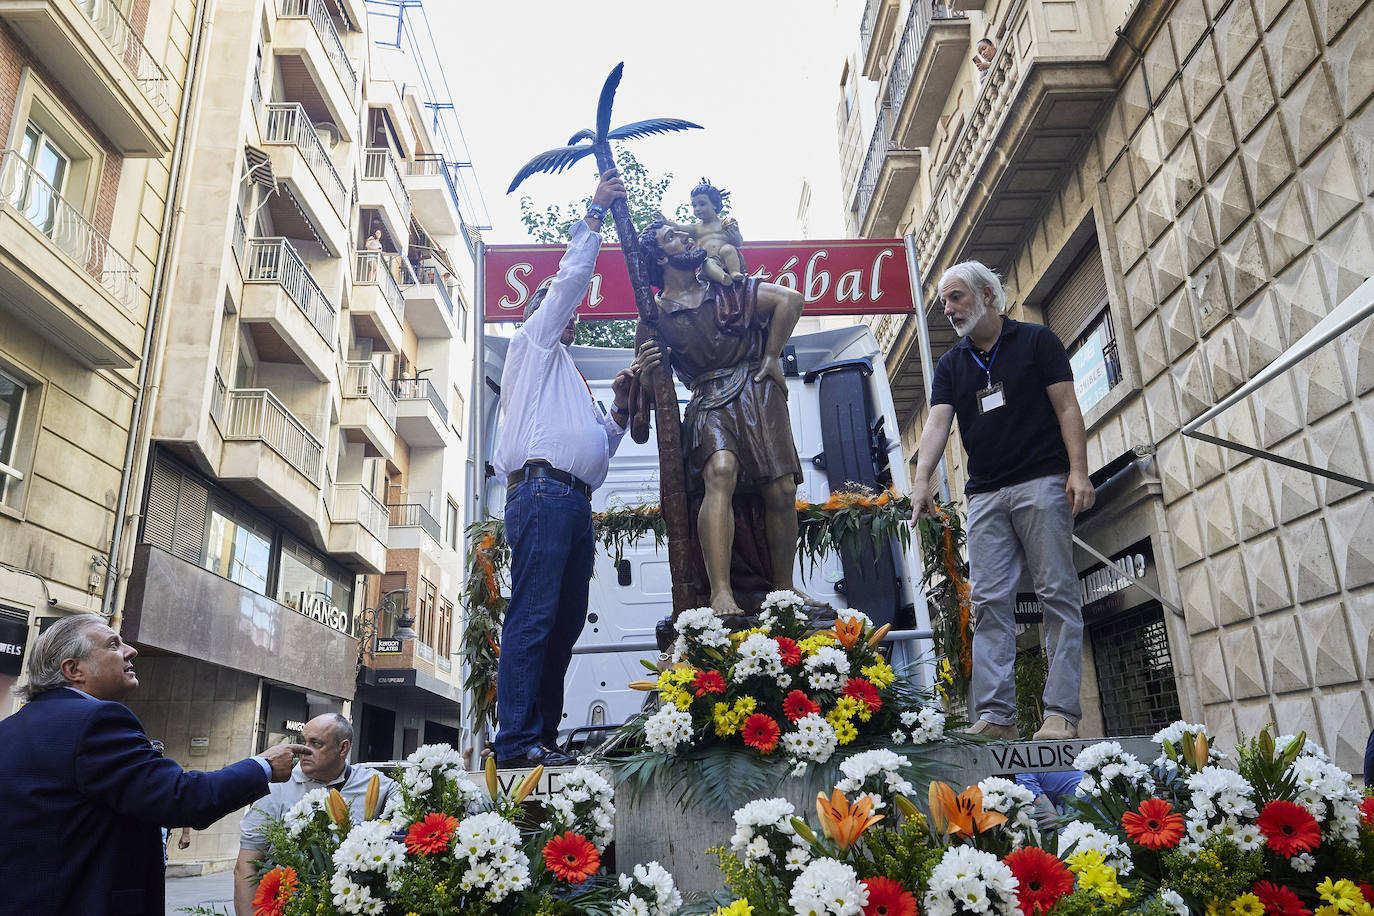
846	277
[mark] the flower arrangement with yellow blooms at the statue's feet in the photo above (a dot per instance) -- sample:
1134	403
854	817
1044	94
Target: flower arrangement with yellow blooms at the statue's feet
736	709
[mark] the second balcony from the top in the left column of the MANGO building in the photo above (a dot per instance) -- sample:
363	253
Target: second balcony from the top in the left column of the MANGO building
302	161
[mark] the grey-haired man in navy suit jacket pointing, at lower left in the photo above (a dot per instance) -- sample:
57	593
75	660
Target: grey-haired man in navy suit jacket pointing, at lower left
83	793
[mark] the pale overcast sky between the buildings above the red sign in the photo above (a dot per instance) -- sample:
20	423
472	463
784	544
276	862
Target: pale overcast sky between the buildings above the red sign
761	76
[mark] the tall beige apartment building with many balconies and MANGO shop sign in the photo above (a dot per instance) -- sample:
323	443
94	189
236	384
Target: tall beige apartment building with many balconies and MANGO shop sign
307	410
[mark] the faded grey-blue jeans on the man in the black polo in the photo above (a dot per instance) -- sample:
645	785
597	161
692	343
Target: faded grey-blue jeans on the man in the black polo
1024	528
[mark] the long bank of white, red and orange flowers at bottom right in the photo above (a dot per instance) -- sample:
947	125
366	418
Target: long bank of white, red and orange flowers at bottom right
1283	834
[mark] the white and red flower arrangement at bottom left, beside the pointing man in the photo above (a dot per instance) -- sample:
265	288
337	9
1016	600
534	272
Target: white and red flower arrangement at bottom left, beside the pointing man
444	847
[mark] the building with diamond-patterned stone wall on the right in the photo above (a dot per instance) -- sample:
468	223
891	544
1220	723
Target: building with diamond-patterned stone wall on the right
1180	190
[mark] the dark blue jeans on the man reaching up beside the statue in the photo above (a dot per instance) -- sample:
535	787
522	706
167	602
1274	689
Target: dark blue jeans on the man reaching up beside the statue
550	531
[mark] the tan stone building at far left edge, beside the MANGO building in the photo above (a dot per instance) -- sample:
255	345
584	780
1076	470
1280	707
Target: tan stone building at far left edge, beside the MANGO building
91	95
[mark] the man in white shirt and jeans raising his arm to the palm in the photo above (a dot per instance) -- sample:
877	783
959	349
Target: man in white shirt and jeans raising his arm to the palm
554	450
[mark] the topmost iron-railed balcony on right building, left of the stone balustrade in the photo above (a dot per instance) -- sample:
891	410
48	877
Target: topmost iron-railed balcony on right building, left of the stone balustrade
930	60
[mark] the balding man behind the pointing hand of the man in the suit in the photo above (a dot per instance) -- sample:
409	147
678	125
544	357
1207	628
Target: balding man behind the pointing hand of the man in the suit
330	738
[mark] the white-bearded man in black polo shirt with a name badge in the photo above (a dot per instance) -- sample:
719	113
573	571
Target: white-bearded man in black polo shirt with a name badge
1012	389
